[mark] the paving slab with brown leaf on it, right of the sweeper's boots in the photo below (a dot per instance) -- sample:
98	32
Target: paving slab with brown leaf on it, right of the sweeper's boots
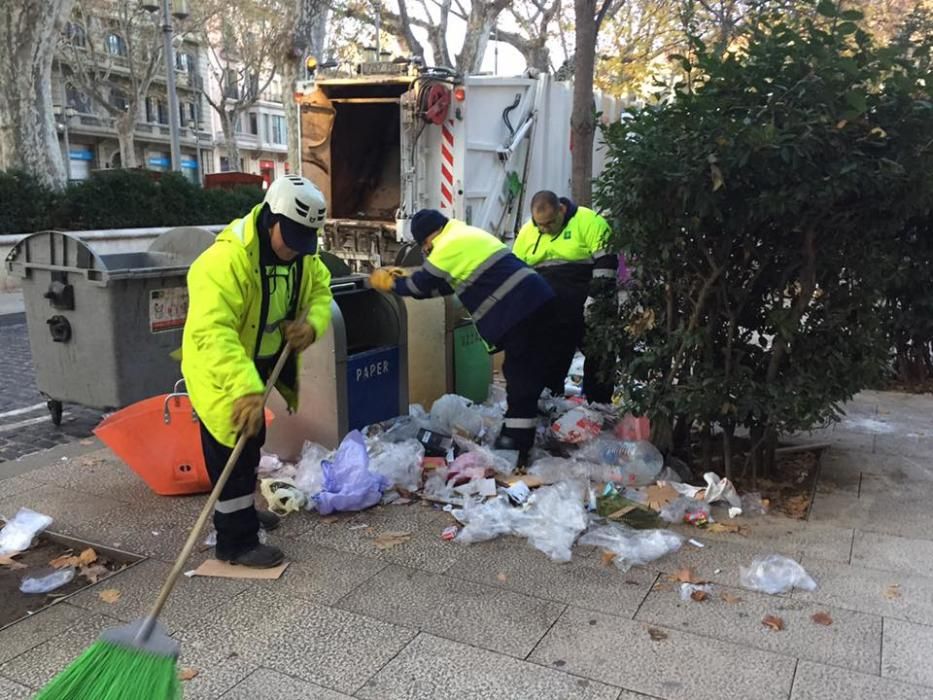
425	550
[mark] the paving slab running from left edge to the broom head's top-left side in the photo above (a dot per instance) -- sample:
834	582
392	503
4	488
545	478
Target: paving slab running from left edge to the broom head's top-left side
40	664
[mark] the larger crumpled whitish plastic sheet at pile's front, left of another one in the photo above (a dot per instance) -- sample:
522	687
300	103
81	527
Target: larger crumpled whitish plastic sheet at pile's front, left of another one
551	520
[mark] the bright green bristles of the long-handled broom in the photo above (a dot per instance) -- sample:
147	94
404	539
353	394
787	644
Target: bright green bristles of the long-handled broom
107	671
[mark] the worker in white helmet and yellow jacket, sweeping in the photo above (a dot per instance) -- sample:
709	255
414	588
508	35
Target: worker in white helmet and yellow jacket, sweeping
245	293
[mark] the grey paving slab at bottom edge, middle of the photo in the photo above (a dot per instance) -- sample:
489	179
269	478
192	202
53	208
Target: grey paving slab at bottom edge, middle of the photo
431	667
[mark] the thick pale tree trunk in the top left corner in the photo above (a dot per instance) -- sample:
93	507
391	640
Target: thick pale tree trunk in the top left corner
29	31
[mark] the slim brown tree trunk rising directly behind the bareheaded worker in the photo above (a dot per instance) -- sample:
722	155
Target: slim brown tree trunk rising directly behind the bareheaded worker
583	119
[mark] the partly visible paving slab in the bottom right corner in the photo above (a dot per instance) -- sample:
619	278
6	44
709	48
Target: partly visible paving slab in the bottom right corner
818	682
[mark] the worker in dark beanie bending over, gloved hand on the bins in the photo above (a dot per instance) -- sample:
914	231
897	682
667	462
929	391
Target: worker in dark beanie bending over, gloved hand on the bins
511	305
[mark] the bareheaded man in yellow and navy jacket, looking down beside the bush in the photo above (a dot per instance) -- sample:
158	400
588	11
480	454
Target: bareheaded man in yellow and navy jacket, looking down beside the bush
568	245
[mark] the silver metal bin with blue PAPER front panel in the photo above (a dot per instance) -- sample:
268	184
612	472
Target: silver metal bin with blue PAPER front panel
357	374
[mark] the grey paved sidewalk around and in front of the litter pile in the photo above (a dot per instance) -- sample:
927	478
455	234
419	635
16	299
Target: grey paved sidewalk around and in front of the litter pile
430	619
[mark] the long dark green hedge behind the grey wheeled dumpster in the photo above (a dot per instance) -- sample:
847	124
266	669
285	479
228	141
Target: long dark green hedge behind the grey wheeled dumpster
117	199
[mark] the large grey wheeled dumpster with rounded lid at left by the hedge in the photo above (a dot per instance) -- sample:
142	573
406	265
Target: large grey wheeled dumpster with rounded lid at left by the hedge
102	327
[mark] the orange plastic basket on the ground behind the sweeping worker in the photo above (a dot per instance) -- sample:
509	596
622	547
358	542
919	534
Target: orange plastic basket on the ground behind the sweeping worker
159	438
